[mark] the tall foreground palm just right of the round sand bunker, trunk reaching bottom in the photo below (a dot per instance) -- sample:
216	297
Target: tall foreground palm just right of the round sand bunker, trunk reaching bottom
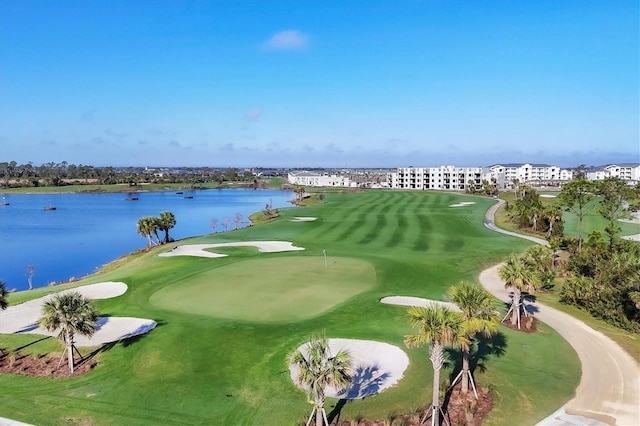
438	327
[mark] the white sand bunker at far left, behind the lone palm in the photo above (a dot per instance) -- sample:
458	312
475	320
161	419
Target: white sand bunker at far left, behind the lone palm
23	318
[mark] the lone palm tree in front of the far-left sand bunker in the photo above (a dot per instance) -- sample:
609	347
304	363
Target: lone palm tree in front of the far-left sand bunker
71	314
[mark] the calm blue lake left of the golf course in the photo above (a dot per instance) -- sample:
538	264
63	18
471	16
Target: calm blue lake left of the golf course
87	231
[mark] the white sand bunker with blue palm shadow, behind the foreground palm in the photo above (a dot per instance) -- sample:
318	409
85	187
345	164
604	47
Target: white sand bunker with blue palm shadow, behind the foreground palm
377	366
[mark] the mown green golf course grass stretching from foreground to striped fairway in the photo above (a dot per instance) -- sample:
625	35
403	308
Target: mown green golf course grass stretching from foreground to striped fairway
228	367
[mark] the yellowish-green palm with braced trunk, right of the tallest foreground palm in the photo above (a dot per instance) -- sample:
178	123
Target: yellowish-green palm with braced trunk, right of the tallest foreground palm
479	315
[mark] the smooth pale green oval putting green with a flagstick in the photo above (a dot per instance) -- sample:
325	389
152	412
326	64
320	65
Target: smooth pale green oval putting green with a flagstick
269	290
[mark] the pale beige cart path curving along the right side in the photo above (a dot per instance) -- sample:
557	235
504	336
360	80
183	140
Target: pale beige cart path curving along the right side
609	389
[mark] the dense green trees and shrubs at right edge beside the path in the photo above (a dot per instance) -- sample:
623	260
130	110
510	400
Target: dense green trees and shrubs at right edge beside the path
605	271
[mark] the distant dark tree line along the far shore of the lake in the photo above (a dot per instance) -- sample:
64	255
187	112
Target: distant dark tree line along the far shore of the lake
13	175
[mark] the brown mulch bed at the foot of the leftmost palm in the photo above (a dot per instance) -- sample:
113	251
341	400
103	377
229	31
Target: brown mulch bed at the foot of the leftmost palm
42	366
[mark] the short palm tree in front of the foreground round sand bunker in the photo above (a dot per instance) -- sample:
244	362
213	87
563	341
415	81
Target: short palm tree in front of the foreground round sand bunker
317	369
